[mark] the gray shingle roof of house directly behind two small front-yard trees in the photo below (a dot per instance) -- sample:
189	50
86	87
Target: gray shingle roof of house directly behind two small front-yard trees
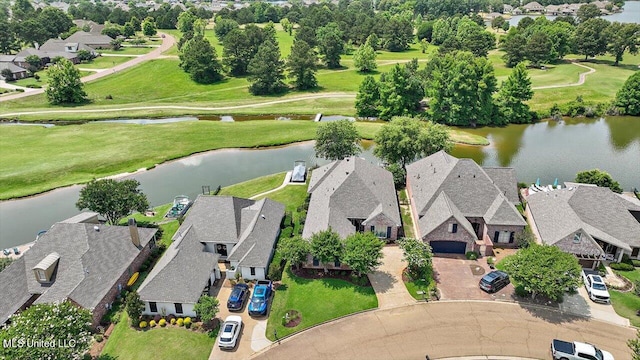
349	188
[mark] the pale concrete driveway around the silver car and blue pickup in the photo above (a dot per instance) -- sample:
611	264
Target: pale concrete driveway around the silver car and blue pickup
252	337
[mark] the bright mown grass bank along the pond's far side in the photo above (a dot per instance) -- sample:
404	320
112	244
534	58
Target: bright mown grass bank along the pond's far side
97	150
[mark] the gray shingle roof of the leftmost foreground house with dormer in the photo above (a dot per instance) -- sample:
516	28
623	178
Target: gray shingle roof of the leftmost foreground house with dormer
90	264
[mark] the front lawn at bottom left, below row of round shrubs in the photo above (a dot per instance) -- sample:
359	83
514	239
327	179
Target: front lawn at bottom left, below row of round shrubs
157	343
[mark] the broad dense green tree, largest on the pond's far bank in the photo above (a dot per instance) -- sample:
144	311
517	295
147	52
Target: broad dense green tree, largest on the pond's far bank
460	89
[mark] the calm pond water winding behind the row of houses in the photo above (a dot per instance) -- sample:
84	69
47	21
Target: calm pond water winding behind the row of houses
545	150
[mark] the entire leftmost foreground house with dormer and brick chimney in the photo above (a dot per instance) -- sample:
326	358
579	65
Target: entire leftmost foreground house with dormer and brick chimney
76	260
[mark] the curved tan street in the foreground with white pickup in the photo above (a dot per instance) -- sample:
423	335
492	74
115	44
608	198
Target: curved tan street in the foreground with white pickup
447	329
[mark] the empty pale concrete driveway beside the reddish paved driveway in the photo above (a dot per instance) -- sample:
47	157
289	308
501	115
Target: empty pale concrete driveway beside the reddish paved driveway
387	280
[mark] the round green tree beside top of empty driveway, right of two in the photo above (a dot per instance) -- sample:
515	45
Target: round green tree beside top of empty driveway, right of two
363	252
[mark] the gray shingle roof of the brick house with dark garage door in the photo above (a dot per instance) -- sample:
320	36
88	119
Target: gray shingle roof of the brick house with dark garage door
467	186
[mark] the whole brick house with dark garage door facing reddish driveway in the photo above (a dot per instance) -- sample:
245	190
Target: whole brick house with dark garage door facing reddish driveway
460	206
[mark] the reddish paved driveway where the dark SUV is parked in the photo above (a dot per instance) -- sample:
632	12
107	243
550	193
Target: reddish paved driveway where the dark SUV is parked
458	278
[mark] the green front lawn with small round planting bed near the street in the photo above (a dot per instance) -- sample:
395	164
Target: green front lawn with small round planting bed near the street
317	300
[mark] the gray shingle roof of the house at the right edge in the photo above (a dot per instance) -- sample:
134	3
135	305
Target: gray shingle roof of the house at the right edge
598	211
